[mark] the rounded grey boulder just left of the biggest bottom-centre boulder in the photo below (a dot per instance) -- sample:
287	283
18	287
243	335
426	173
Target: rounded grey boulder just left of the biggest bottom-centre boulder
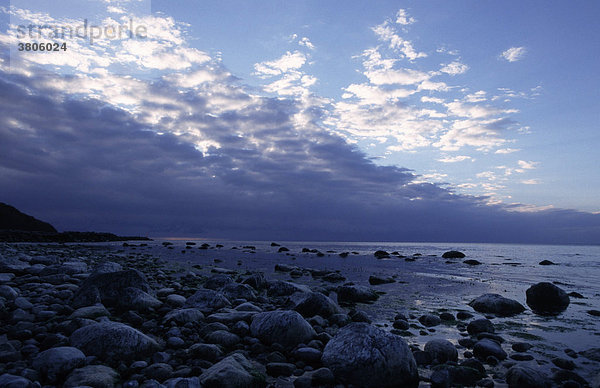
287	328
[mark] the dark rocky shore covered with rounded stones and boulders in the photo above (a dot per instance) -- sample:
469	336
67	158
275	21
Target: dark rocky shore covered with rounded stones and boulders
85	315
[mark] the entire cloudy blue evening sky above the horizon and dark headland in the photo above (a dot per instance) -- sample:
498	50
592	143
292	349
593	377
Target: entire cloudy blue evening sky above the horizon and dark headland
396	121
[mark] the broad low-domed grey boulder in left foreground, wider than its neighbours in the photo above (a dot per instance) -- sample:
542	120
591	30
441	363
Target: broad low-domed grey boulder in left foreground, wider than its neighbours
112	340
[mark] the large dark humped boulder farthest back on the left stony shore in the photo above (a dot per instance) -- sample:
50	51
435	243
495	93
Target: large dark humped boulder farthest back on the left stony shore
109	289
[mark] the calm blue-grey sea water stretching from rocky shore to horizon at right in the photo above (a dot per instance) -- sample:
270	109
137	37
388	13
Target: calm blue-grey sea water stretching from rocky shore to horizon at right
430	284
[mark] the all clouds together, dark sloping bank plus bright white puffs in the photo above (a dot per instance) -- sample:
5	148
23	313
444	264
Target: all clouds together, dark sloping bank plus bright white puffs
192	151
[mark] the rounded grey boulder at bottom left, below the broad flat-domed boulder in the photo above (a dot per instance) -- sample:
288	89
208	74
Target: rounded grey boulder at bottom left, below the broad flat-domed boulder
55	363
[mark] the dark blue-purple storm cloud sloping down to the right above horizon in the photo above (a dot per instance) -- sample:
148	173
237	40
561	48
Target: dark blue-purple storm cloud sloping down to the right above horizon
84	164
